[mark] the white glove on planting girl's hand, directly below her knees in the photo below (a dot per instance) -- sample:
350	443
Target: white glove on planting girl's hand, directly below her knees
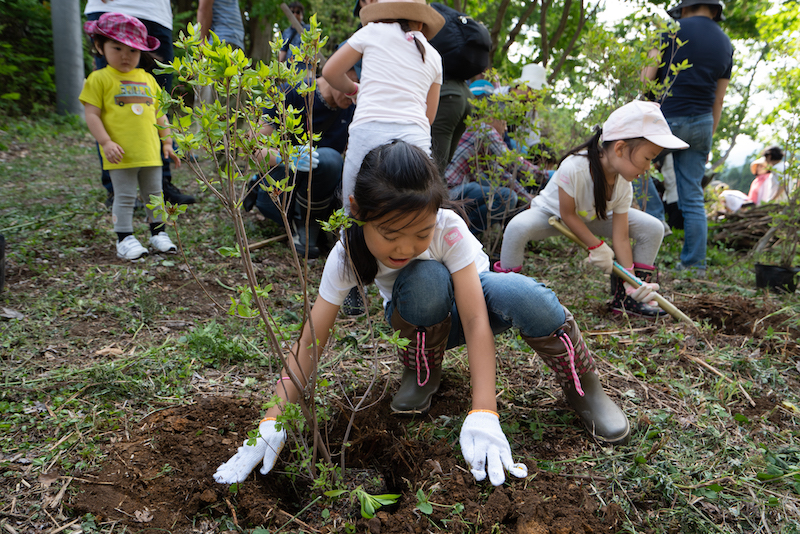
486	449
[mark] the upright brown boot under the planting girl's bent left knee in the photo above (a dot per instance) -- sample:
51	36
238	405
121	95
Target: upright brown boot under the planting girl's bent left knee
422	359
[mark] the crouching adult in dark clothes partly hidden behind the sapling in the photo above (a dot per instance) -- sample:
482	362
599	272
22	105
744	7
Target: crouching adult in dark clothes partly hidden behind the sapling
332	114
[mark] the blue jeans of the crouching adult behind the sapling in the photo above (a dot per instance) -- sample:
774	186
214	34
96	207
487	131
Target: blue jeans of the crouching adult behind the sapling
326	181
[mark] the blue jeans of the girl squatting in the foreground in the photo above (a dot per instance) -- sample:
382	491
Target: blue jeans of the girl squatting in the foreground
423	295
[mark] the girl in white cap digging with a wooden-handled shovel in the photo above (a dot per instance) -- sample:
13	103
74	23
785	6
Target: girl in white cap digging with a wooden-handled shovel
587	193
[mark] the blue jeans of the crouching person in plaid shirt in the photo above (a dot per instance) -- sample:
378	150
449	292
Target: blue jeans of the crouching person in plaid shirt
476	195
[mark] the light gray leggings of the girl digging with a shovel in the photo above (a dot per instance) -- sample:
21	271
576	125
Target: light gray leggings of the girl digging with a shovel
531	225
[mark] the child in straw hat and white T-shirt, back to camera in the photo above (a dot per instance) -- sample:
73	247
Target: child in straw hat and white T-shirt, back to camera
401	76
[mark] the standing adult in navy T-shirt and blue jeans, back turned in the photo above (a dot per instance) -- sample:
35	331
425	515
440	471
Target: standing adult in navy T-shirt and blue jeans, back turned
693	108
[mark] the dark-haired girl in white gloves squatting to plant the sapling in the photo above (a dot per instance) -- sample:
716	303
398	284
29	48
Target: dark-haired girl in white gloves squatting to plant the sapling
439	293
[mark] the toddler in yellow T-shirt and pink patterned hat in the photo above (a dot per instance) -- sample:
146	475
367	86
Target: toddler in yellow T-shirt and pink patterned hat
121	114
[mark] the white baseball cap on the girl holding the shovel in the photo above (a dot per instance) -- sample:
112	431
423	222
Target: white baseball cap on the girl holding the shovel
641	119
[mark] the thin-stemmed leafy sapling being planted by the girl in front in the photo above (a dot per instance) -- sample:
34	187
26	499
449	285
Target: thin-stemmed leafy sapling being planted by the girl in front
228	129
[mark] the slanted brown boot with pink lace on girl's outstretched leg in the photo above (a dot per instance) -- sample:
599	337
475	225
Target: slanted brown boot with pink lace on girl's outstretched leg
565	352
